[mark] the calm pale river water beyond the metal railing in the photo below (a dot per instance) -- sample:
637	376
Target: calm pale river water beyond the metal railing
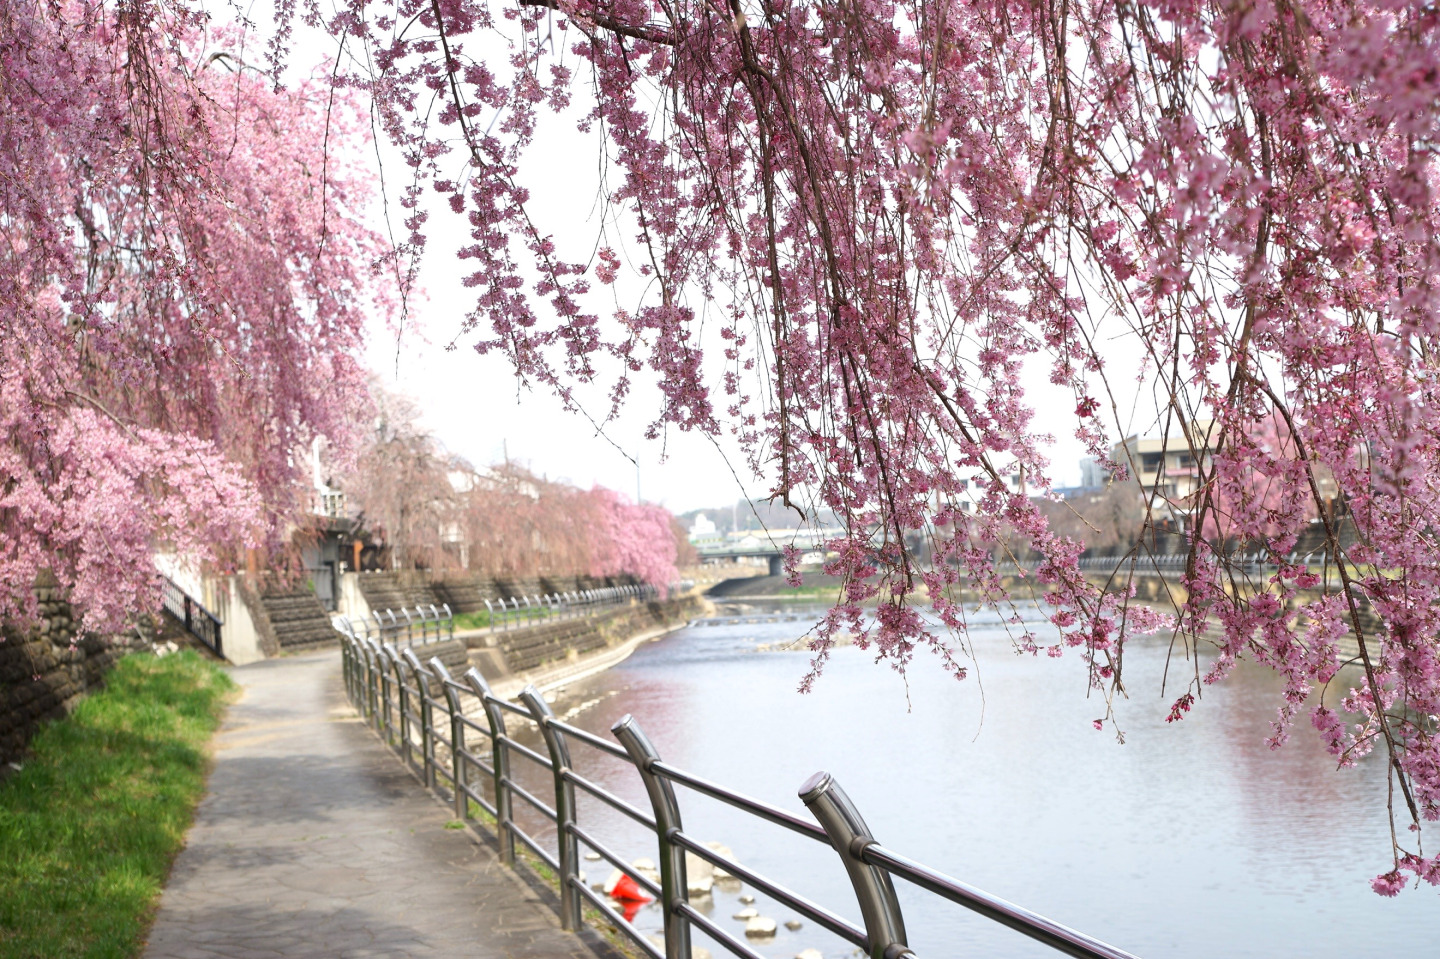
1193	839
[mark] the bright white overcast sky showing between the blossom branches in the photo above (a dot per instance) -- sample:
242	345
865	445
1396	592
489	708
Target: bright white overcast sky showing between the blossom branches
473	402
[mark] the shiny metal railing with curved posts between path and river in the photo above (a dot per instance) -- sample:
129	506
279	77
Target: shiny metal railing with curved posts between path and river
420	709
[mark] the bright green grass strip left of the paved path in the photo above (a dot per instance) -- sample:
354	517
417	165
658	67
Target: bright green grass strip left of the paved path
90	826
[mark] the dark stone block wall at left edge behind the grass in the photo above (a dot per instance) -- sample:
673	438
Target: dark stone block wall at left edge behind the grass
44	676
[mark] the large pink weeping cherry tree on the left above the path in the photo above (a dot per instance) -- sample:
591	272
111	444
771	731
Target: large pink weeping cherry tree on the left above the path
185	289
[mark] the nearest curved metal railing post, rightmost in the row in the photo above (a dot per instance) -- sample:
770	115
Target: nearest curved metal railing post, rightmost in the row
850	836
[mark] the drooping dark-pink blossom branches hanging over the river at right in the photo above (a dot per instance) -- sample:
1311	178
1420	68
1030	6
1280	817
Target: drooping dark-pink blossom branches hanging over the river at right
895	207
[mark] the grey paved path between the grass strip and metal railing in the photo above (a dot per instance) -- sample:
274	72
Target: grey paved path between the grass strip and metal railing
315	842
